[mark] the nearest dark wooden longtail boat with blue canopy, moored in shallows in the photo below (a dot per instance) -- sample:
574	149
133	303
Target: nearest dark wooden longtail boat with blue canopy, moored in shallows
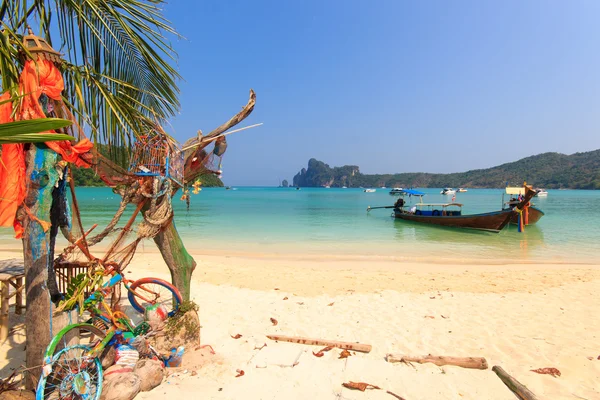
450	214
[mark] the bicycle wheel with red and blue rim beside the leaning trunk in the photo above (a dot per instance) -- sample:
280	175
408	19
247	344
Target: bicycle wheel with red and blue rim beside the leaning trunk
149	291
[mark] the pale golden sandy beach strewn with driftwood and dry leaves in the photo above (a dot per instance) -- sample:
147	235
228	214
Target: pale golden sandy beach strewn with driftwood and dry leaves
521	317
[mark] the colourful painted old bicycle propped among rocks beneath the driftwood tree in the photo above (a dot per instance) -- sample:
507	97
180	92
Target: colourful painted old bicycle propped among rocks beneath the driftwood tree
75	371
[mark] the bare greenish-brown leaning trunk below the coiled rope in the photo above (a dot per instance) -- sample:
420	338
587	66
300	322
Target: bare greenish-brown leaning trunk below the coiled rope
179	261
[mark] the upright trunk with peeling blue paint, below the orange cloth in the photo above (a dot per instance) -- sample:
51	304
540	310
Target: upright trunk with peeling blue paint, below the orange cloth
42	177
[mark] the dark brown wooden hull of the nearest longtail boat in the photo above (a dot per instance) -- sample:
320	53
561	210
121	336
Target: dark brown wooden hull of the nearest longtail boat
491	222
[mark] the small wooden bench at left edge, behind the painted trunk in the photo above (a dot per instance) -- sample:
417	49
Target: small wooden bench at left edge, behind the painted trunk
12	273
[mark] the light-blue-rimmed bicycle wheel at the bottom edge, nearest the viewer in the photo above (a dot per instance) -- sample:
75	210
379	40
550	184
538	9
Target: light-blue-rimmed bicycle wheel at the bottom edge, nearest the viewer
71	375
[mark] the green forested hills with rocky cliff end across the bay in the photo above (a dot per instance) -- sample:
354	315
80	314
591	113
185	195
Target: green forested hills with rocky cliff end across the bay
547	170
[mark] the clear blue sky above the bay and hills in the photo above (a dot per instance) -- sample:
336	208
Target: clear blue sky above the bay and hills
388	85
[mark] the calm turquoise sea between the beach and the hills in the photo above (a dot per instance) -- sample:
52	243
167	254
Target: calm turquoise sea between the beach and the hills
321	223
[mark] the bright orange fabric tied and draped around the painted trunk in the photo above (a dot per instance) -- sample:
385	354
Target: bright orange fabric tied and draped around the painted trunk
36	79
